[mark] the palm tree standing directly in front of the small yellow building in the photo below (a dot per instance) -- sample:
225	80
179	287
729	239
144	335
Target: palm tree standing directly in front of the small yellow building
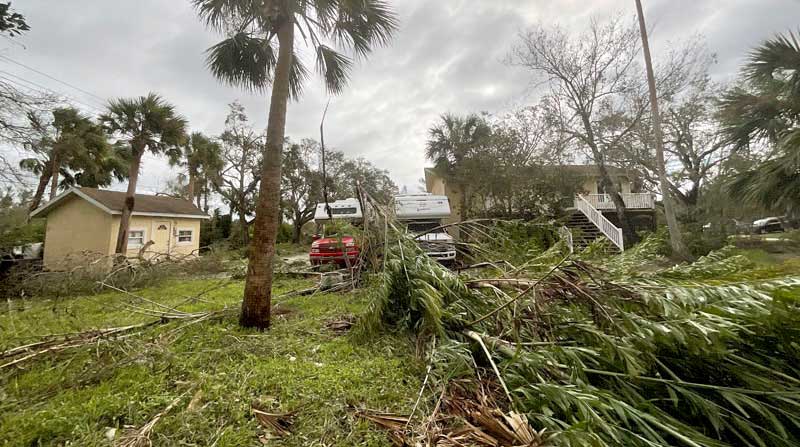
147	123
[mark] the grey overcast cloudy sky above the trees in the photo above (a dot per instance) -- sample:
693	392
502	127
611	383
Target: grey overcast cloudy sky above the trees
446	57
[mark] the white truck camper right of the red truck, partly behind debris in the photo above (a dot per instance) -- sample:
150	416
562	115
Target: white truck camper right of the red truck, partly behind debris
423	212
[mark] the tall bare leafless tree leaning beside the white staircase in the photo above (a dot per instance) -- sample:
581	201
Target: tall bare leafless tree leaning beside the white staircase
594	95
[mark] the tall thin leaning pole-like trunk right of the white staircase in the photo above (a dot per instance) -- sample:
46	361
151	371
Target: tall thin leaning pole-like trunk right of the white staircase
675	237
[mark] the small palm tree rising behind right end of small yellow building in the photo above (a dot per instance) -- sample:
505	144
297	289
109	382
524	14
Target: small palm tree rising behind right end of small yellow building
201	157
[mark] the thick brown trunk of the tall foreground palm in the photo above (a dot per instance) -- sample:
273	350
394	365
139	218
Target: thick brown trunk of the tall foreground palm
258	287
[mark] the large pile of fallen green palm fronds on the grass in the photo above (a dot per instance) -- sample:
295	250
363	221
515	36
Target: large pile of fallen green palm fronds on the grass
601	351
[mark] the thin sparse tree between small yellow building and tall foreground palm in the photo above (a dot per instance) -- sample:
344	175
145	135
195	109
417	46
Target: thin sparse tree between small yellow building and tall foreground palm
239	179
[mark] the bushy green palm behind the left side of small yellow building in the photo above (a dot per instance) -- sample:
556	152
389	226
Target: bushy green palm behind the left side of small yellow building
70	146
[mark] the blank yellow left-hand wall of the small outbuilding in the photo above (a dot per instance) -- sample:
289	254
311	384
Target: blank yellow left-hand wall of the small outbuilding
75	234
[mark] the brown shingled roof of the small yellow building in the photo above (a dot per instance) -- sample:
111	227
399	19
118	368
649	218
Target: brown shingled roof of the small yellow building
113	202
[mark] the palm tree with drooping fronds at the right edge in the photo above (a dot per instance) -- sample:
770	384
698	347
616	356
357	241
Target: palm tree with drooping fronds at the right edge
765	112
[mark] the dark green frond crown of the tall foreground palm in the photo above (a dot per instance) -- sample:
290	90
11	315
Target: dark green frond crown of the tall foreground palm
248	56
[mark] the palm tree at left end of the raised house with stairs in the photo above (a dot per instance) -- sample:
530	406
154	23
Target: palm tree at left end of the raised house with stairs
452	144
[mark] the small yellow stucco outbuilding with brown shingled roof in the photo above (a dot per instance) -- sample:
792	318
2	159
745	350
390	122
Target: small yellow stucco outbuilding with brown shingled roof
82	225
